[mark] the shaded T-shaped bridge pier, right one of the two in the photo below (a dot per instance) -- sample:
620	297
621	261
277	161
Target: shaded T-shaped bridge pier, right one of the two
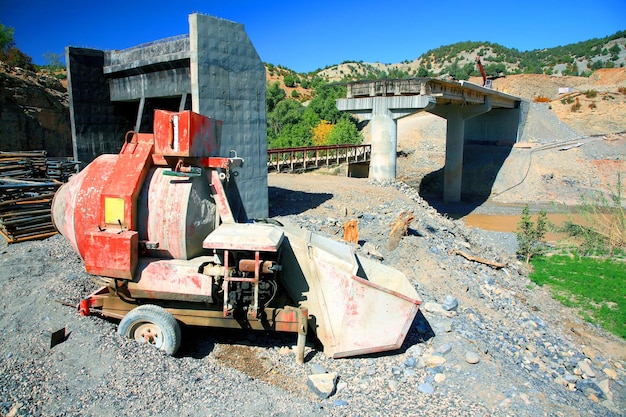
455	139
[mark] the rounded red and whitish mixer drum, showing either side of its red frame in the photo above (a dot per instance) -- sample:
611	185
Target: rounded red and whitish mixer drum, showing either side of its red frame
174	214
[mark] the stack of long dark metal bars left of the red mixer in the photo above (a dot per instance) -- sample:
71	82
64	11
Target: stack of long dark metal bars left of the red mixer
28	181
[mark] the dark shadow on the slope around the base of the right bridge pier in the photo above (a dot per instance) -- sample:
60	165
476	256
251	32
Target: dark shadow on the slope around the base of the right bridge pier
481	165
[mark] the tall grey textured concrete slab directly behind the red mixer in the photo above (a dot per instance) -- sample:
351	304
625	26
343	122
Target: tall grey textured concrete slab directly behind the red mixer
228	83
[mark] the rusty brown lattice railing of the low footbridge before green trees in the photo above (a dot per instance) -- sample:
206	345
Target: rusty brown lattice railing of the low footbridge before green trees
312	157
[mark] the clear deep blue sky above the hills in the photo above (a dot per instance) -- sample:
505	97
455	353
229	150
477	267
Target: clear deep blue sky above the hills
305	36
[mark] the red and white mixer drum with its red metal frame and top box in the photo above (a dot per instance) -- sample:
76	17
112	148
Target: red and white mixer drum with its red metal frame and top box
122	204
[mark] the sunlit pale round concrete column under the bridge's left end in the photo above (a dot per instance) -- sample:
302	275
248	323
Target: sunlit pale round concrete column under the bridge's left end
384	145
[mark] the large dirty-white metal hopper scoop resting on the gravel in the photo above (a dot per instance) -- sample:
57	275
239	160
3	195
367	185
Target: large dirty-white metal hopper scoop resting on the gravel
356	305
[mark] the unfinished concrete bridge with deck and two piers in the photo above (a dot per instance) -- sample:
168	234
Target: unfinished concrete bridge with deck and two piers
472	112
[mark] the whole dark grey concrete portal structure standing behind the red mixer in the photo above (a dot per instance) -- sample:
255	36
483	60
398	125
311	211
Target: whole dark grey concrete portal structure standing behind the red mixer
215	71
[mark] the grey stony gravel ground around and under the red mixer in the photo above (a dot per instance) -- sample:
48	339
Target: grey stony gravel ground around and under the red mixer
534	356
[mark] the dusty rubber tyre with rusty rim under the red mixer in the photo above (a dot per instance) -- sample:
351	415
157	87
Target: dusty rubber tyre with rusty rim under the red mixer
152	324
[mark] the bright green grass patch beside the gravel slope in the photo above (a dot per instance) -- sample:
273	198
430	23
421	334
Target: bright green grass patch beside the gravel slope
596	287
